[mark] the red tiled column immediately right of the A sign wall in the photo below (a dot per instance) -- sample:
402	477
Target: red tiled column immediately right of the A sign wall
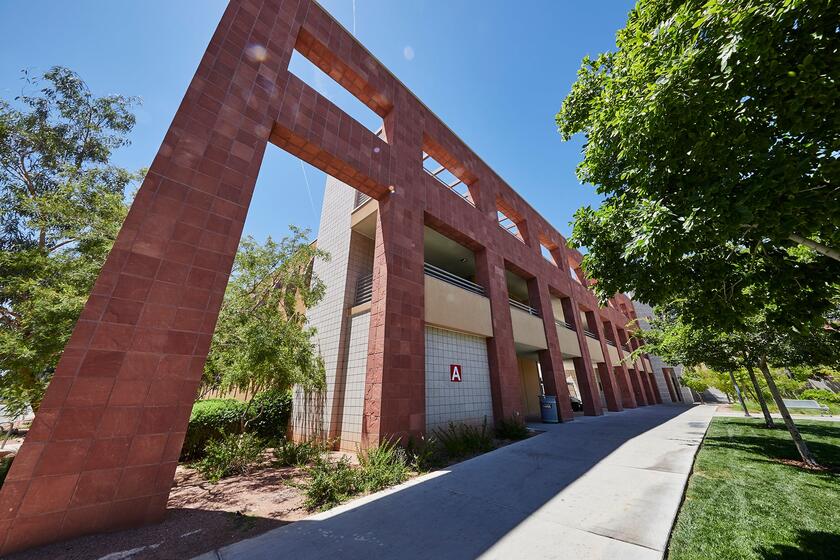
505	386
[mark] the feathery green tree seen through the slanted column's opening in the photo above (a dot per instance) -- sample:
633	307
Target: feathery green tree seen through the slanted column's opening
262	341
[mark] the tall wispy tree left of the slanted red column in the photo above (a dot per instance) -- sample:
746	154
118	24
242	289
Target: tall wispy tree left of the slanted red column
61	206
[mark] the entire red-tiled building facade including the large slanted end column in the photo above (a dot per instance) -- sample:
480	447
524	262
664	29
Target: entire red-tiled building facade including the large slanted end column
103	448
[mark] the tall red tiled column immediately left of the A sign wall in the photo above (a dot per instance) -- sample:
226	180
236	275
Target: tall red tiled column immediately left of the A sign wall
395	398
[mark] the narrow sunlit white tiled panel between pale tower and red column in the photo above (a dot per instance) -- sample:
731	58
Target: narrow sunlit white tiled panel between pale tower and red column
354	388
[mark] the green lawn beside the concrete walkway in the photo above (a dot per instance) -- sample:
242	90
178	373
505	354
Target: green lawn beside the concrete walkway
742	502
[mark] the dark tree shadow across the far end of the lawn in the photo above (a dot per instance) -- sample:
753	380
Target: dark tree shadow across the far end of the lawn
777	446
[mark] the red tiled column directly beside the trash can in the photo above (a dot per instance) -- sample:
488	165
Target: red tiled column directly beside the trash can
551	360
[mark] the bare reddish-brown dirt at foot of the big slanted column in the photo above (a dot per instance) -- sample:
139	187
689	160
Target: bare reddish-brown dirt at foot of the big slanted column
201	517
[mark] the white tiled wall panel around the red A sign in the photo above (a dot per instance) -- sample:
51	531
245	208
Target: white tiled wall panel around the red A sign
469	401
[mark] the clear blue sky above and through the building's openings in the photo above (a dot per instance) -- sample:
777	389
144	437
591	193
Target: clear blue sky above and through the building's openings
496	72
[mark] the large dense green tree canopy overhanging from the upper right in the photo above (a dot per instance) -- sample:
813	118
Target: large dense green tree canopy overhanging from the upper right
712	134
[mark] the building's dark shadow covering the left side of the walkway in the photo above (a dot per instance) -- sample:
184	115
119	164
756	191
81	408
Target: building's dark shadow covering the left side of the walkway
424	521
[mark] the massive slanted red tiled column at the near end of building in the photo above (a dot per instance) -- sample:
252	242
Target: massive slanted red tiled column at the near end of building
103	448
